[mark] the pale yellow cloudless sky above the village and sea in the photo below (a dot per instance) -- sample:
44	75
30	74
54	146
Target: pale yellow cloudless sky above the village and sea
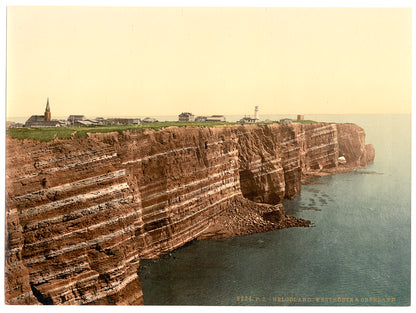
148	61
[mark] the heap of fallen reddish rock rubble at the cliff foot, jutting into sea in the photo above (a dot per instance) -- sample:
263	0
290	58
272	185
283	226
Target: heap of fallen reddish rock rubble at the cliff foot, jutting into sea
245	217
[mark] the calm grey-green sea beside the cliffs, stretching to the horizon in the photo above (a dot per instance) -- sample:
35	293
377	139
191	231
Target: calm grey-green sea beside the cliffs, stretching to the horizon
356	253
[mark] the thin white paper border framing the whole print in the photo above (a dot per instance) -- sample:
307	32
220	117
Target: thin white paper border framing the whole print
189	3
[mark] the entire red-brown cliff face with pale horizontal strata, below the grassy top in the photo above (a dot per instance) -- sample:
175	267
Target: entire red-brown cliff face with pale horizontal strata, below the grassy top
81	213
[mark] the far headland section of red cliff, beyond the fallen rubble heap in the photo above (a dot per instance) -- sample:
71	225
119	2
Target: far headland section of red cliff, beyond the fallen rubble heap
275	160
